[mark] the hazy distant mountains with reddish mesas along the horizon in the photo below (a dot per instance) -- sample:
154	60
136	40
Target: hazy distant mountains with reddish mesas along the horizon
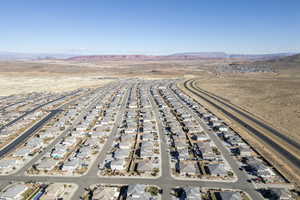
177	56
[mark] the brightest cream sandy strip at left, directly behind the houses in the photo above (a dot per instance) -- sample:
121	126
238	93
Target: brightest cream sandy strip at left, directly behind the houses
16	83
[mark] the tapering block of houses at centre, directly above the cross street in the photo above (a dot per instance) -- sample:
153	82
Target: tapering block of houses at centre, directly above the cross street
135	150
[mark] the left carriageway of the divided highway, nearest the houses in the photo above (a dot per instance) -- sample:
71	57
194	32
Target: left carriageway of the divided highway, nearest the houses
286	154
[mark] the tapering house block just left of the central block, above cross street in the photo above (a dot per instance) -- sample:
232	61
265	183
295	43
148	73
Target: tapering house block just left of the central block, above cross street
77	150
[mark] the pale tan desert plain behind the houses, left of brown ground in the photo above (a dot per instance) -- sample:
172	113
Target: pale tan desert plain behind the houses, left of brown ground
57	75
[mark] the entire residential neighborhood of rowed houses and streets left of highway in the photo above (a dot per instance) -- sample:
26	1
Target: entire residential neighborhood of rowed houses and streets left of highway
131	139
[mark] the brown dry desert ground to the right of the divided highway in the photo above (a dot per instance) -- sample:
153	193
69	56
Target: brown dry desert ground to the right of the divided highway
275	98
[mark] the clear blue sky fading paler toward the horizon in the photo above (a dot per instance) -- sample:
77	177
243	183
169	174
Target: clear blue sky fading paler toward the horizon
149	26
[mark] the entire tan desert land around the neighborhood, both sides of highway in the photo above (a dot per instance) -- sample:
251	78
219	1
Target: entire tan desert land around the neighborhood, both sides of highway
275	97
